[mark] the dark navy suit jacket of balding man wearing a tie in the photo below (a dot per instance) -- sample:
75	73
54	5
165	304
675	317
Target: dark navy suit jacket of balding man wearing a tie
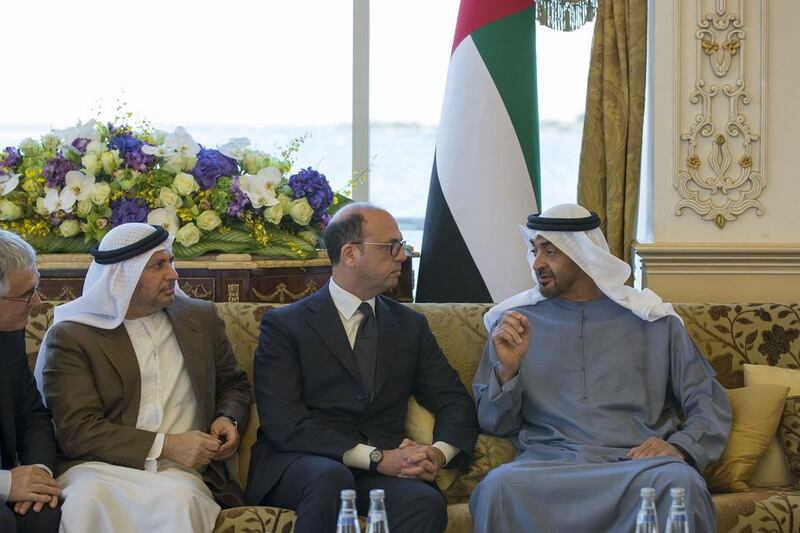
311	400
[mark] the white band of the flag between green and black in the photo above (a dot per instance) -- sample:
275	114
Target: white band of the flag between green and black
483	174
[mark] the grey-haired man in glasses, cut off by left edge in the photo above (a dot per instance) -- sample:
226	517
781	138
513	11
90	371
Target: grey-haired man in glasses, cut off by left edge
27	442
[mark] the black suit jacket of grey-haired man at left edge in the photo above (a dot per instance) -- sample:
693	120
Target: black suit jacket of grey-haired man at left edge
26	431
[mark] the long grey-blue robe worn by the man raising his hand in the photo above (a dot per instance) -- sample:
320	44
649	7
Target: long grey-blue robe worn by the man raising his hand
597	381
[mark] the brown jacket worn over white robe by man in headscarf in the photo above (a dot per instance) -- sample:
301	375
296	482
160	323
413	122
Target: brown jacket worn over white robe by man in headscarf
92	384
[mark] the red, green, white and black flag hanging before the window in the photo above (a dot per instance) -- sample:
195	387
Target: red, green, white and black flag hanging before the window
485	178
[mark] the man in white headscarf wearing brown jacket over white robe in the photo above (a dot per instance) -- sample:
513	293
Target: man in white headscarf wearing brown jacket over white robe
145	393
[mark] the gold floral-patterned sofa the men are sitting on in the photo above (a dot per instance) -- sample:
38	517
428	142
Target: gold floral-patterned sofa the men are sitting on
729	336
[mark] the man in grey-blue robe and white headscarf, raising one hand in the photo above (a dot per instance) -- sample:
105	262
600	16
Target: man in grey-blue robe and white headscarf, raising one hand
600	387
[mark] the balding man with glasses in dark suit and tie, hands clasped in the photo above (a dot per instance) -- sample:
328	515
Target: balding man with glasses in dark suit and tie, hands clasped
333	374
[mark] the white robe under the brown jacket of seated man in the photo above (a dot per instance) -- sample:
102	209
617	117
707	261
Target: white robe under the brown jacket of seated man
164	497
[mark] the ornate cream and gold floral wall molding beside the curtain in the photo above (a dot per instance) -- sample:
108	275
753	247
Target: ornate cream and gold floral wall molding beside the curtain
721	152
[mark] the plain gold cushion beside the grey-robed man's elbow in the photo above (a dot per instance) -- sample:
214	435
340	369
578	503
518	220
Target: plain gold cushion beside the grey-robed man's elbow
756	413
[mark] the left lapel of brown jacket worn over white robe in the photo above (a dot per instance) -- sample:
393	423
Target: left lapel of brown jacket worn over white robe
116	345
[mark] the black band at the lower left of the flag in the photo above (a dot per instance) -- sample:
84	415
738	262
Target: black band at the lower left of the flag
447	272
